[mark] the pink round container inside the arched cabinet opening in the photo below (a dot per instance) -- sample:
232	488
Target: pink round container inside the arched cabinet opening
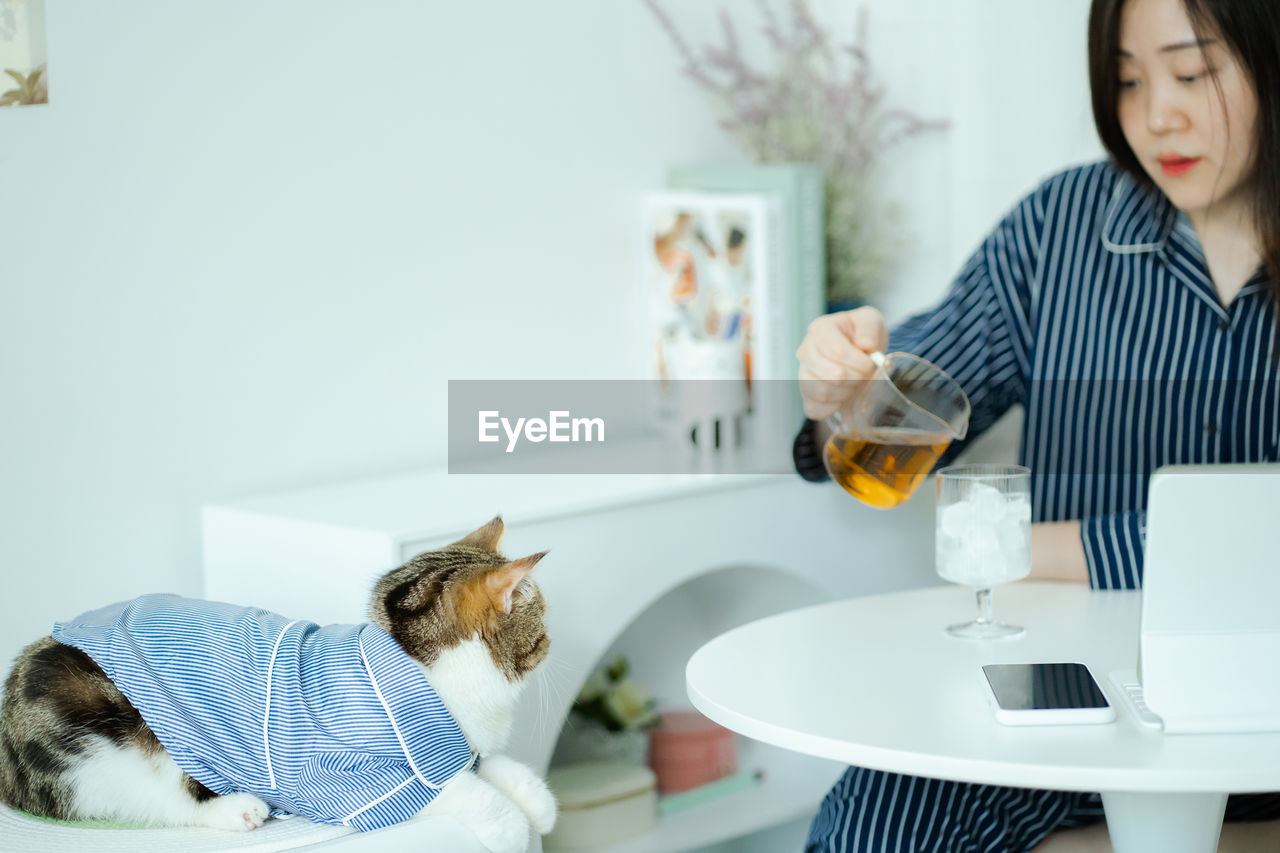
687	750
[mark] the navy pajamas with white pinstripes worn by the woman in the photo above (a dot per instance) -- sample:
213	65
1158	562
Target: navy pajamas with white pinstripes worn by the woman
1090	305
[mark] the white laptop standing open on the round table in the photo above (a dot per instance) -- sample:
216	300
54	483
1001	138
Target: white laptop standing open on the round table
1210	644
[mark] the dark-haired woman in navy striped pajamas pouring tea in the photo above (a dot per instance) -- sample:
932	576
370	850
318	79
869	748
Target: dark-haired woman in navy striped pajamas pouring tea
1132	309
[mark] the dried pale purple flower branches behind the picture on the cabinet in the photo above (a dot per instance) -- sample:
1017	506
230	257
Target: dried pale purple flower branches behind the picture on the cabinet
817	106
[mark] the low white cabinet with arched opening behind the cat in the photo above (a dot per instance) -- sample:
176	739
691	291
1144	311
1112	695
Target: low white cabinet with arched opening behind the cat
652	567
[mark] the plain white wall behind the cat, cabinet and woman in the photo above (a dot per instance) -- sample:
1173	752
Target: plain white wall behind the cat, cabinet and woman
248	244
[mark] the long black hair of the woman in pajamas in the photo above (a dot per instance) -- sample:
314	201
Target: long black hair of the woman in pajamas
1251	31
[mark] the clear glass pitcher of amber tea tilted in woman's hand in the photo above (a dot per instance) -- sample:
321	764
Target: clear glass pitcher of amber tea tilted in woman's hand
889	436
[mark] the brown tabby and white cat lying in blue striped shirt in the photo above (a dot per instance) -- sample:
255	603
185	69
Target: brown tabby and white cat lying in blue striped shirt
75	747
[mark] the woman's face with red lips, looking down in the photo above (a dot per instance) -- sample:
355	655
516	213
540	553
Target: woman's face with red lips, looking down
1194	140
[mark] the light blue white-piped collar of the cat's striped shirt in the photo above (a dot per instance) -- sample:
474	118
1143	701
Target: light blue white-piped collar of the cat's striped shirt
431	738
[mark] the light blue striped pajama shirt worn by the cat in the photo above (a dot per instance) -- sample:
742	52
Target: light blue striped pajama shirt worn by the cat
333	723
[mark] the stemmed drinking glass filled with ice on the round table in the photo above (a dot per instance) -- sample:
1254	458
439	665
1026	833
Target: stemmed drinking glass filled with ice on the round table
984	537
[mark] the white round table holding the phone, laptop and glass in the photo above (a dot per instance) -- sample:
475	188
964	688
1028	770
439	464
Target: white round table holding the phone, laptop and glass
876	682
